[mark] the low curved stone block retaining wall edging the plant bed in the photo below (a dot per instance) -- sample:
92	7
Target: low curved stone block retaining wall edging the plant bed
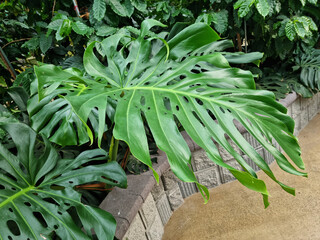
142	210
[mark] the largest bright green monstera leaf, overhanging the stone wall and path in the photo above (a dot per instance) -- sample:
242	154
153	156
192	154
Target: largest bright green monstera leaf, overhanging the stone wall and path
200	92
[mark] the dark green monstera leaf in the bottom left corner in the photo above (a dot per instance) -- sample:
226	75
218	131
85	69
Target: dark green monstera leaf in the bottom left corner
37	198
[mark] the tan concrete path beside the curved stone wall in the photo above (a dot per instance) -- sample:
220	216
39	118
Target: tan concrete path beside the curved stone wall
235	212
